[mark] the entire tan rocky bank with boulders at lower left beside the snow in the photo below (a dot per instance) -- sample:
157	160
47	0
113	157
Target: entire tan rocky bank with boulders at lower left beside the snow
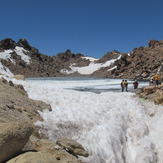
20	141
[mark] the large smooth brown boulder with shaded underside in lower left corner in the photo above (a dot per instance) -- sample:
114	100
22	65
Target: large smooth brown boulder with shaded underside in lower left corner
13	137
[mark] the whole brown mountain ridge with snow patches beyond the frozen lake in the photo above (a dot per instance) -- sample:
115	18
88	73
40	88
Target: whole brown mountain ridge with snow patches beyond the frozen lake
21	58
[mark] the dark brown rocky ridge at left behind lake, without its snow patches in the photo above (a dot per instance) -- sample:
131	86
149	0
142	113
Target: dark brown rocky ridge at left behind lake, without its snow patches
41	65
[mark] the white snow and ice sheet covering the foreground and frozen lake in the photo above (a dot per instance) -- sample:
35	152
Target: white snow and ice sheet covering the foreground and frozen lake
114	127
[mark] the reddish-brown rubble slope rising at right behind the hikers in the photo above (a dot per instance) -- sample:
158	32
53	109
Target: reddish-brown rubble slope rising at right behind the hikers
141	63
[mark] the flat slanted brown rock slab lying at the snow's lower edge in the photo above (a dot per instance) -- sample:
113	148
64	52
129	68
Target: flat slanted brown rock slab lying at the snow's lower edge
72	146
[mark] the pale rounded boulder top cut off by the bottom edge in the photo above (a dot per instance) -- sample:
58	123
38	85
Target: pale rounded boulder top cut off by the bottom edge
34	157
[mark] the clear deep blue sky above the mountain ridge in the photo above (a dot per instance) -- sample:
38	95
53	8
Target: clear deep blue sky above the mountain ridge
90	27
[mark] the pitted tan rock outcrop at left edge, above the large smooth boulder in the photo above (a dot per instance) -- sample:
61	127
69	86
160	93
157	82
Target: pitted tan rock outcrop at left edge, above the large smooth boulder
15	104
